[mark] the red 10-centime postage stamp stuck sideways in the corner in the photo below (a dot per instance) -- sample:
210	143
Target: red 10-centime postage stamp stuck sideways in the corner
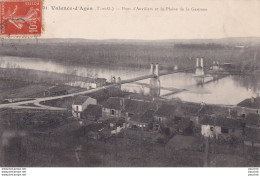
21	17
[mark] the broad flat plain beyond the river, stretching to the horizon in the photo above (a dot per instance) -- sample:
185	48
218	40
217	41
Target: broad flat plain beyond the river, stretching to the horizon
136	54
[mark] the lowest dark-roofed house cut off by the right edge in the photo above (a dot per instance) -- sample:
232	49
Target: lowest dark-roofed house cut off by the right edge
252	137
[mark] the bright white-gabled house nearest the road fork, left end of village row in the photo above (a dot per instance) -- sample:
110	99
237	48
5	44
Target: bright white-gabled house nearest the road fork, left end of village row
80	103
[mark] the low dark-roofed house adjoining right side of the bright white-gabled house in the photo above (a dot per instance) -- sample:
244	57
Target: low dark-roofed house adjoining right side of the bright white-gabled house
93	112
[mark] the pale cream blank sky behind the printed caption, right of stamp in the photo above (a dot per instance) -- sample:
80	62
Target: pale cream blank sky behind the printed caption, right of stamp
222	18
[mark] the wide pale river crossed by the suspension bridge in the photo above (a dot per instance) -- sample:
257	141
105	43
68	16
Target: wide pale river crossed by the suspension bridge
228	90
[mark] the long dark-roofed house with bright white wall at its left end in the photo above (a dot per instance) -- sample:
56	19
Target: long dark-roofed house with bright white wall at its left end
212	126
